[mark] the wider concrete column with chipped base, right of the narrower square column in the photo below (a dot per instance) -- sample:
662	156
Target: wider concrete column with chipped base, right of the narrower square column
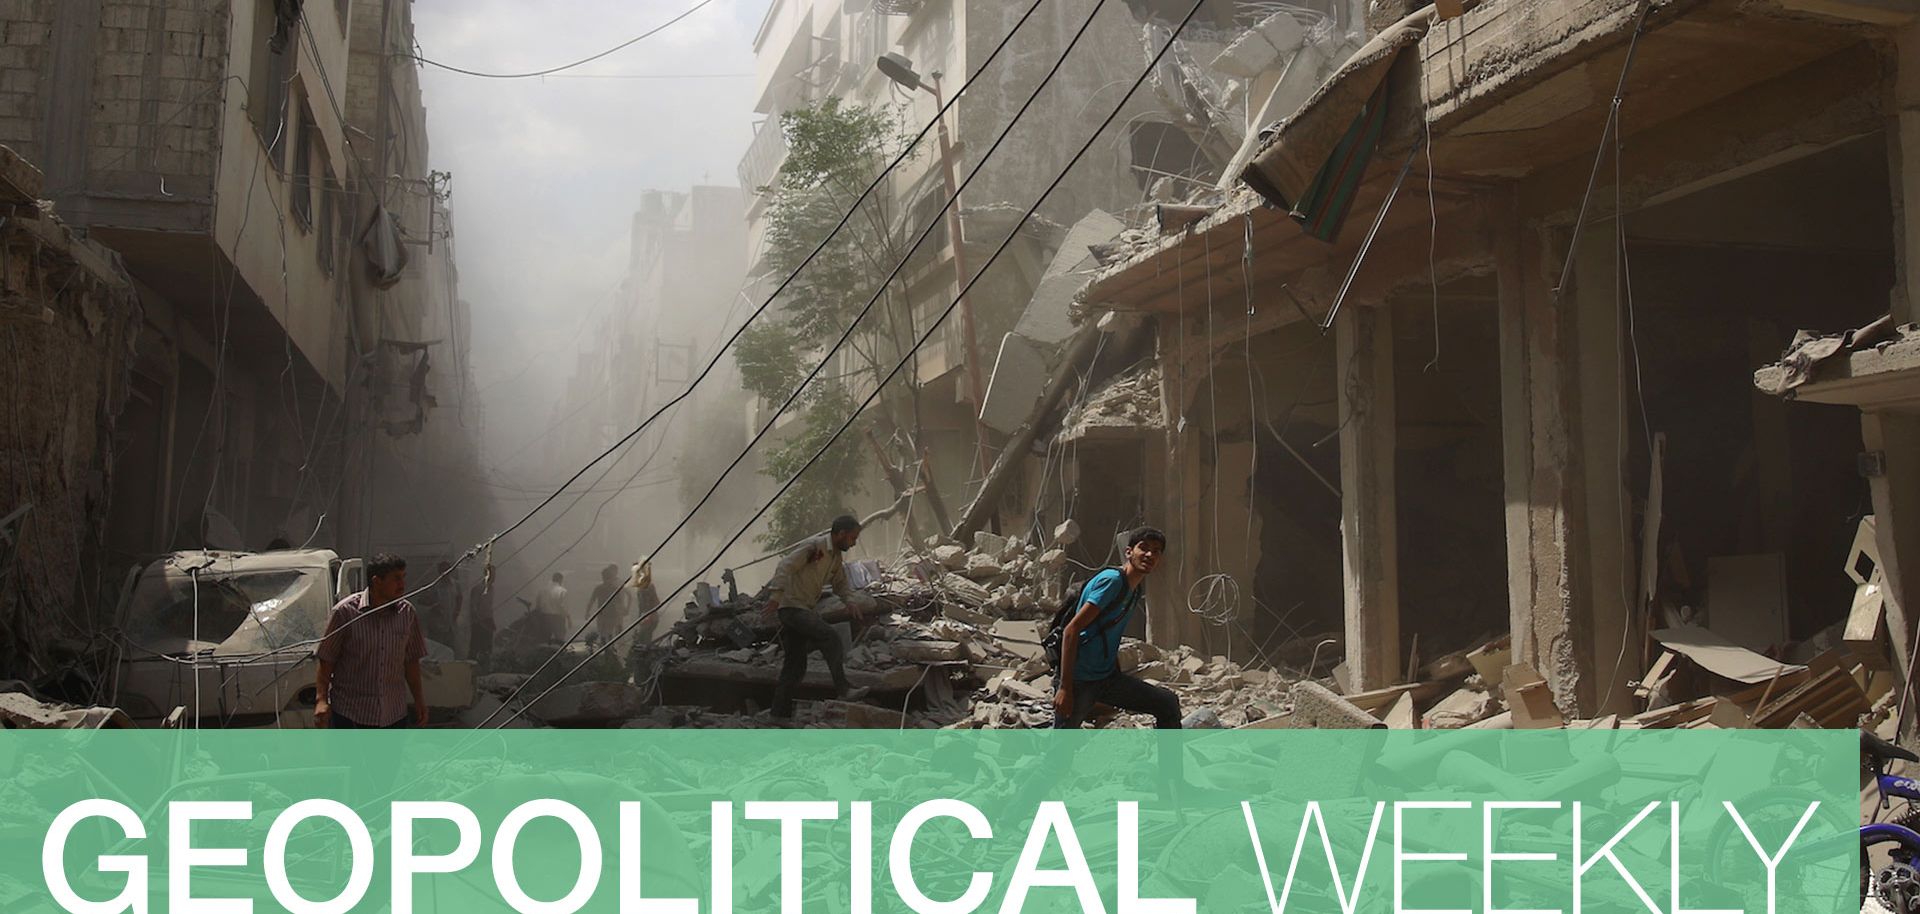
1547	519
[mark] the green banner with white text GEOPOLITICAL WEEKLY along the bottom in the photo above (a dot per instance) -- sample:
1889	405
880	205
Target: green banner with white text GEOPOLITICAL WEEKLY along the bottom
940	823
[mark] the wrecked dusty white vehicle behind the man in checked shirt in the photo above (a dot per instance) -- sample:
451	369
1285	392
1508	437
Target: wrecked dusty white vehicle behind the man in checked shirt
220	638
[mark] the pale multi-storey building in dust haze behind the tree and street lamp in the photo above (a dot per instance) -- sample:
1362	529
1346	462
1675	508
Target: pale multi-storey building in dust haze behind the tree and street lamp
832	49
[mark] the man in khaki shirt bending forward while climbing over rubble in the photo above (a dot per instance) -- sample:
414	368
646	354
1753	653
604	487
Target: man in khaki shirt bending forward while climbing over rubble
807	571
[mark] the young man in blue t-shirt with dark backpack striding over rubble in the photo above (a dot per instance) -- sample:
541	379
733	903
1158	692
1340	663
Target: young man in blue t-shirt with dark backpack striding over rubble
1090	648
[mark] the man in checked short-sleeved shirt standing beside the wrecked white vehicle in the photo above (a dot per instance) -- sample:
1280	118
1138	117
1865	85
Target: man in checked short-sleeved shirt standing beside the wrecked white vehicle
372	656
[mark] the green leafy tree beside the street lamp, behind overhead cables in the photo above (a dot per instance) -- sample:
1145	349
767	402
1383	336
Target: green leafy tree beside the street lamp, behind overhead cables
834	153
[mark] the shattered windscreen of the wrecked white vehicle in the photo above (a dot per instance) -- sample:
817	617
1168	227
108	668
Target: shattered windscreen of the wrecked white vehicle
239	613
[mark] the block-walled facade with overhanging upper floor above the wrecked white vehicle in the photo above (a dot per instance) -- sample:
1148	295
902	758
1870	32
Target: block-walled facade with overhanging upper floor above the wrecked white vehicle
258	214
